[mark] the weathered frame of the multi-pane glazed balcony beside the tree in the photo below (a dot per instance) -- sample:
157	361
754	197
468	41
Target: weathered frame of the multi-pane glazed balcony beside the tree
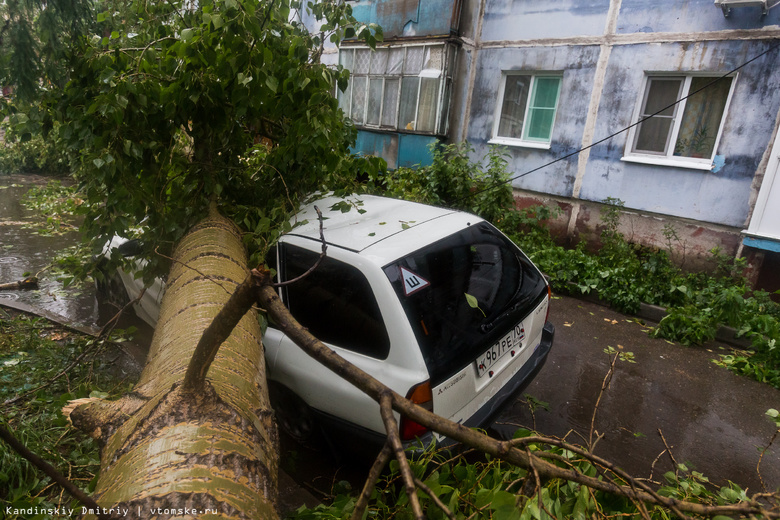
443	88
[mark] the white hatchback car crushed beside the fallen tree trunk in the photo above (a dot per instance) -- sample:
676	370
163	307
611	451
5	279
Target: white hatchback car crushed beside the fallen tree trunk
435	303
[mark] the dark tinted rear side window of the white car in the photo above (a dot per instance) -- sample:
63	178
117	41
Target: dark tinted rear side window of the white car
335	302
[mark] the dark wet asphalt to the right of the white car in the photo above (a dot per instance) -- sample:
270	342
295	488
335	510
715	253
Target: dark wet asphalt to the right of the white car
711	419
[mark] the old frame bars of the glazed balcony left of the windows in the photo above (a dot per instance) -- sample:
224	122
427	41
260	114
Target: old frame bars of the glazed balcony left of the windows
444	77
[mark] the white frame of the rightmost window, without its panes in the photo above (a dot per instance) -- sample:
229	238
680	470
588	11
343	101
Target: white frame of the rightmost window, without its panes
669	159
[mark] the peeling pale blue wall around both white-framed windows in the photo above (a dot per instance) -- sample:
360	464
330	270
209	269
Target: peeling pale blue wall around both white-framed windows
660	36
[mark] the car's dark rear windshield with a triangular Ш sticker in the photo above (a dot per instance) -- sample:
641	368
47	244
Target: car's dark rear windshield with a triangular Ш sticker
462	293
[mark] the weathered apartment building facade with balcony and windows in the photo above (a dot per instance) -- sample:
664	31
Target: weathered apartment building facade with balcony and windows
671	107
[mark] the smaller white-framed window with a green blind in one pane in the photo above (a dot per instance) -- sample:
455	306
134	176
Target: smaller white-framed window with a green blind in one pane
527	110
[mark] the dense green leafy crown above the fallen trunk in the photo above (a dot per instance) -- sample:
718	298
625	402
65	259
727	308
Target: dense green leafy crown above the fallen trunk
173	104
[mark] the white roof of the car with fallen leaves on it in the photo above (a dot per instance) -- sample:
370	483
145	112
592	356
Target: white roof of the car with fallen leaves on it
380	227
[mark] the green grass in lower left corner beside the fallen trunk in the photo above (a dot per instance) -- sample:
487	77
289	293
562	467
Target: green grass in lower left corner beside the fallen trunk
42	367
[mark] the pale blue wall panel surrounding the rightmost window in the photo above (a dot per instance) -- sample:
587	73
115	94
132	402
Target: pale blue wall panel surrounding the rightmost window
721	197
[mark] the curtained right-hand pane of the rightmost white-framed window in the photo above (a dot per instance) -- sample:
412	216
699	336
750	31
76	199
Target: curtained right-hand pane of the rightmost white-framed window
701	118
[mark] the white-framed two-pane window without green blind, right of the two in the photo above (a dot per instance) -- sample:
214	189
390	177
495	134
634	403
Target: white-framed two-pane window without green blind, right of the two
680	131
